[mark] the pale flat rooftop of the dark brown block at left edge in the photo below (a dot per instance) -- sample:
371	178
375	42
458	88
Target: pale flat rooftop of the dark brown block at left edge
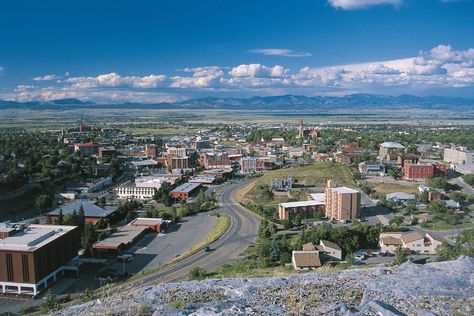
33	237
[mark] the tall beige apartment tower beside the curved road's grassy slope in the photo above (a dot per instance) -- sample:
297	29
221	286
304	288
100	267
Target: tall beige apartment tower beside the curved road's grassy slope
341	203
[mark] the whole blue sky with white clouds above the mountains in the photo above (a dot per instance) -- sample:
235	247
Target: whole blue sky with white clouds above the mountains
153	51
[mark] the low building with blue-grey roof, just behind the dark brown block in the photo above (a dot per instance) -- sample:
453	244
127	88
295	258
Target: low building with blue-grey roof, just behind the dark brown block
92	212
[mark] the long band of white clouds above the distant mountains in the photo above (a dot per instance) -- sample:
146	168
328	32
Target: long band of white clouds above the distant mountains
439	68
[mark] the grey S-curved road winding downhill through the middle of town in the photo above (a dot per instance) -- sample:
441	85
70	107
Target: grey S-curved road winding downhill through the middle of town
242	232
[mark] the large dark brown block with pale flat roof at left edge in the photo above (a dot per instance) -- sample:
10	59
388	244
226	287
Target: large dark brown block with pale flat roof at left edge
32	257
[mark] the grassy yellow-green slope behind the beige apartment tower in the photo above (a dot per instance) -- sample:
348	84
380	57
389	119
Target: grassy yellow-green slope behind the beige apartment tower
311	175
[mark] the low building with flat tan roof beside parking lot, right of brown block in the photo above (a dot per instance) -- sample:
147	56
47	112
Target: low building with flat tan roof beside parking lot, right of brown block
119	241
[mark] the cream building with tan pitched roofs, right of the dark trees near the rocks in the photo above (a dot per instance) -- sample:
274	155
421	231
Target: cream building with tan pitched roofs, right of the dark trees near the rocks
423	244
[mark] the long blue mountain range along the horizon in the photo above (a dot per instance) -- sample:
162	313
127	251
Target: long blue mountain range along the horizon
271	103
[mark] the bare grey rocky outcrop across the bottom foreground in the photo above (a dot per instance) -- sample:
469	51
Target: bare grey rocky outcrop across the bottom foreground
443	288
